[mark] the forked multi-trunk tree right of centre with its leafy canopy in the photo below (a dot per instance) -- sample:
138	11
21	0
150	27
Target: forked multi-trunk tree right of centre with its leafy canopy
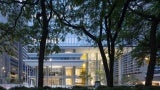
101	21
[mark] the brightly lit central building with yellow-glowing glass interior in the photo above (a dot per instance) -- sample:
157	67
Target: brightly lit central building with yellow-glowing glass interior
72	66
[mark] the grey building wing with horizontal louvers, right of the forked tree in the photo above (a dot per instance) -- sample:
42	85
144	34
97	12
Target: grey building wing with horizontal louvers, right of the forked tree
128	72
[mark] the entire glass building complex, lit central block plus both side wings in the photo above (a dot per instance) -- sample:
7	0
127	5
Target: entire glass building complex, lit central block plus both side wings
77	63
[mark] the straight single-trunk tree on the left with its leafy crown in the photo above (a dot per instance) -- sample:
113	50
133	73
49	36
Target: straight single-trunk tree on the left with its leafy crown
33	13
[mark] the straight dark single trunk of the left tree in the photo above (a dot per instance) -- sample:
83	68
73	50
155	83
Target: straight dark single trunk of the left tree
42	44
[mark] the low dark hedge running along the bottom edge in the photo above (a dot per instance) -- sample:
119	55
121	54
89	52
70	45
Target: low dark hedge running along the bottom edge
137	87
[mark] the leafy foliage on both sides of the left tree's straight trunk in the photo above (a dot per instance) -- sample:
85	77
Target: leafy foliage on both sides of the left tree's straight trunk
22	26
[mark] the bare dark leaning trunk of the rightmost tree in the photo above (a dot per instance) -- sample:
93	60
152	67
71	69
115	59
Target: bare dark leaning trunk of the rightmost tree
153	51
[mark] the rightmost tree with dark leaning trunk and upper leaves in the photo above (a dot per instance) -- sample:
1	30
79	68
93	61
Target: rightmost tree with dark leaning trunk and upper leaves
144	9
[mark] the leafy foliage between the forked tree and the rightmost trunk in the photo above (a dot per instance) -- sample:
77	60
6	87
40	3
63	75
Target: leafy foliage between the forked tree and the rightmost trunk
136	30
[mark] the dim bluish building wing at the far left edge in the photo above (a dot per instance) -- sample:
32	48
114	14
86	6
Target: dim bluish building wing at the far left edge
11	66
